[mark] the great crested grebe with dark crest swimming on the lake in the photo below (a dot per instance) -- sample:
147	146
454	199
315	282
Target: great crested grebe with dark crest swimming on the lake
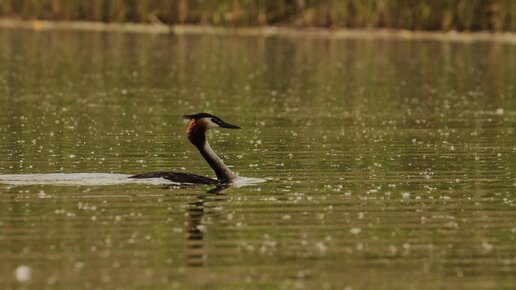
197	126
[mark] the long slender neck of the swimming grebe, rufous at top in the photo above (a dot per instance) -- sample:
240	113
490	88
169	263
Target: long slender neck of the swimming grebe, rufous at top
197	136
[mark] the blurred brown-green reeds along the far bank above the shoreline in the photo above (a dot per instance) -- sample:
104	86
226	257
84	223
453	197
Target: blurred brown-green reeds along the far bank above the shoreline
462	15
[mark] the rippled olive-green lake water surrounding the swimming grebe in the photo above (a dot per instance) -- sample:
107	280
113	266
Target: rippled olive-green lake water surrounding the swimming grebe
388	163
